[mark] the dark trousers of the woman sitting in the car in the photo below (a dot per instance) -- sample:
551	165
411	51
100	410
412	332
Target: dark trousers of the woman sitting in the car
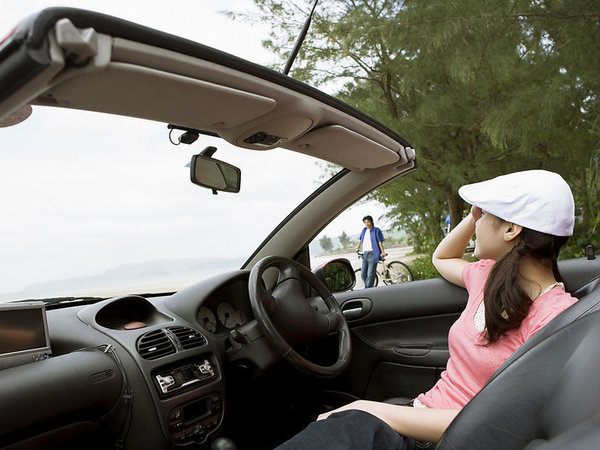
348	430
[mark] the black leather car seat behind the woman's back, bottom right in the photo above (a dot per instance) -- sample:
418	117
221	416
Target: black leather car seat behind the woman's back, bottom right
546	396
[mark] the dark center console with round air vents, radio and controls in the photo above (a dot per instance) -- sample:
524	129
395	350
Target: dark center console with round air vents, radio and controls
180	366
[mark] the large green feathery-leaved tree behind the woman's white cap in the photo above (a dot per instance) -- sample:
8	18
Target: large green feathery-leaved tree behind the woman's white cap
479	88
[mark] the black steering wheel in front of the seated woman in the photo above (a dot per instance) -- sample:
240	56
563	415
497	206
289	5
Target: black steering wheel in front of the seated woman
286	317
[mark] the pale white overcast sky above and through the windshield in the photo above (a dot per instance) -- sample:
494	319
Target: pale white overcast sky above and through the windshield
30	256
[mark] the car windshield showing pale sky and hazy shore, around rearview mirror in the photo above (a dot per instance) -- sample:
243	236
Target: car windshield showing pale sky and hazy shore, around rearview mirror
100	205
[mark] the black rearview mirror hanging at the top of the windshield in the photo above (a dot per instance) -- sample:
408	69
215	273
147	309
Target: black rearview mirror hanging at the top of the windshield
214	174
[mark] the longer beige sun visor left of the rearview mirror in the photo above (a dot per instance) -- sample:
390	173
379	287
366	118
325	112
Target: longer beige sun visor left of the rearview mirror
136	91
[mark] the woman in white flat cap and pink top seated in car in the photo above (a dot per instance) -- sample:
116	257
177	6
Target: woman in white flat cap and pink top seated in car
520	221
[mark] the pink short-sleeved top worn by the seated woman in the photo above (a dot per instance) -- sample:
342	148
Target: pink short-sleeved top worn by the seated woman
472	364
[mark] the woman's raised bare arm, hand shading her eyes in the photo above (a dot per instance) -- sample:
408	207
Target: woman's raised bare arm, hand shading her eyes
448	256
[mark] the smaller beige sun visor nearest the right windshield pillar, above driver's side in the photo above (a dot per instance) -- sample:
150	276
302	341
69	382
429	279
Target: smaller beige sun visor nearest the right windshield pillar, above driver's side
359	152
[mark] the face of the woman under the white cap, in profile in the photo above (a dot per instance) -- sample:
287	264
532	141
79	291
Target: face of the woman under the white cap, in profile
489	237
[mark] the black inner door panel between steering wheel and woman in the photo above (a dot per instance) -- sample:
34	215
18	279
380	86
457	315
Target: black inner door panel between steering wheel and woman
400	336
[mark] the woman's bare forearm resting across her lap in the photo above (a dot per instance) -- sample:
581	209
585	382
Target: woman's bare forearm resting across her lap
423	424
